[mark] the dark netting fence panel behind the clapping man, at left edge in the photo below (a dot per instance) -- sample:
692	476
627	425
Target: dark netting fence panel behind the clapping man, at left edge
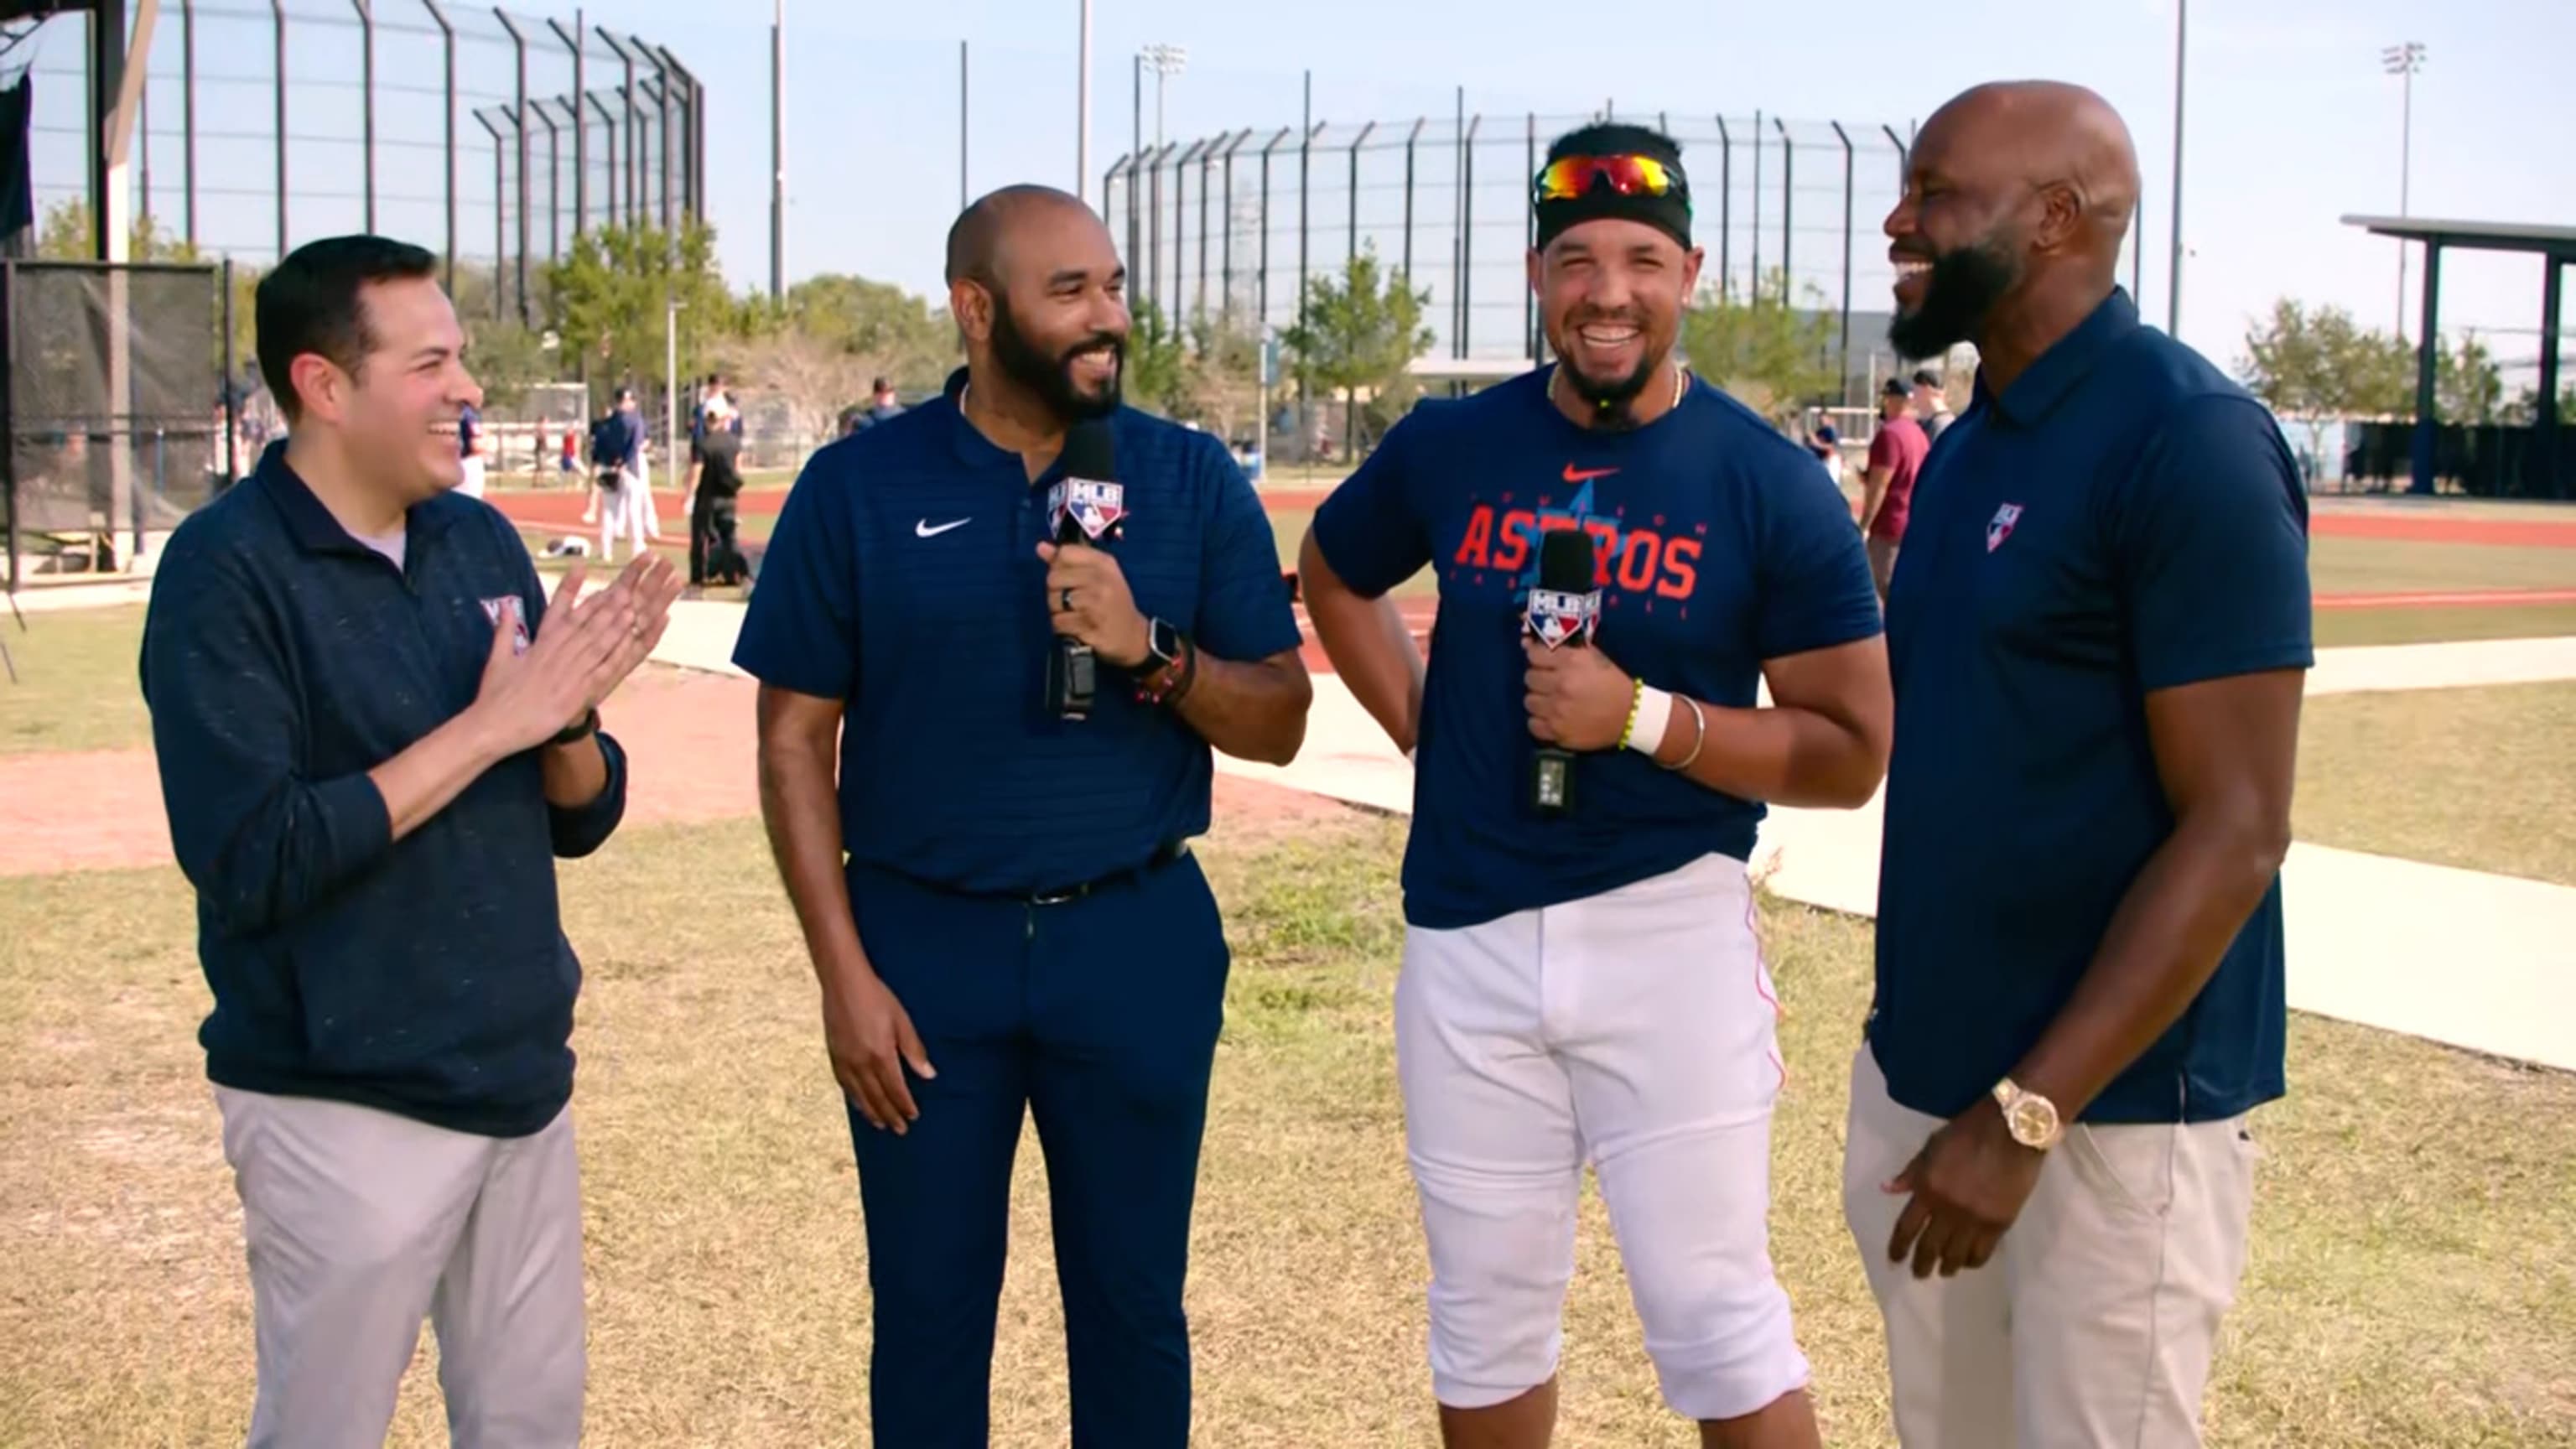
115	401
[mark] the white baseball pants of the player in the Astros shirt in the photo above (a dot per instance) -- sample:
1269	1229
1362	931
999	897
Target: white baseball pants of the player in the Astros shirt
1632	1030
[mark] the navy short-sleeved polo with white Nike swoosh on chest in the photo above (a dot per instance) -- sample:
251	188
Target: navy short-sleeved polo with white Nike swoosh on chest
905	581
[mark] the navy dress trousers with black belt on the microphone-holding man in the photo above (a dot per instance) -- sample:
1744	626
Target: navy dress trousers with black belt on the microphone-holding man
1099	1015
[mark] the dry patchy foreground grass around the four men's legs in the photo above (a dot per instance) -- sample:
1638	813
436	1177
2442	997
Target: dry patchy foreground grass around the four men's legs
2412	1270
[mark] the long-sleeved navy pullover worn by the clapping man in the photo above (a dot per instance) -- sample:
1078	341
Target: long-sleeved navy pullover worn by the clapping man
285	661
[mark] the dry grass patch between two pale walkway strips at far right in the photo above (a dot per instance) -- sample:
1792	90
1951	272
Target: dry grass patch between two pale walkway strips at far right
2487	777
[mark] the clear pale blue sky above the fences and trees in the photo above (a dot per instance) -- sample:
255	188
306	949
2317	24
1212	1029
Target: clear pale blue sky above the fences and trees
2291	120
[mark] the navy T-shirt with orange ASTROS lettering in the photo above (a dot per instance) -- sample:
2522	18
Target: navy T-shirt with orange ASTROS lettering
1717	545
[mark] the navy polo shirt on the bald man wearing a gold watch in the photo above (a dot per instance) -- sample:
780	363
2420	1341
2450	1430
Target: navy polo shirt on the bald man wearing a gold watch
2116	522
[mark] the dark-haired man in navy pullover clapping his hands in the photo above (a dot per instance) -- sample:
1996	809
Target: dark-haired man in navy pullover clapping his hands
375	736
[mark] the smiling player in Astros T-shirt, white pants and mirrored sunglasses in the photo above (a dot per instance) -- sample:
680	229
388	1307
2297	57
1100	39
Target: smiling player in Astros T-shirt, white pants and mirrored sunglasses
1588	986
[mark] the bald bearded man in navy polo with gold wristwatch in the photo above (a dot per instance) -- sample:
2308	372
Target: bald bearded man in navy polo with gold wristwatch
2098	638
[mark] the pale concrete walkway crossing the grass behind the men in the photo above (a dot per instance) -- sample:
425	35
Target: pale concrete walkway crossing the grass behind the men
2464	958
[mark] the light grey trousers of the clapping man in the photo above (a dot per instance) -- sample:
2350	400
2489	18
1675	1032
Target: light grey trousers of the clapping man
365	1223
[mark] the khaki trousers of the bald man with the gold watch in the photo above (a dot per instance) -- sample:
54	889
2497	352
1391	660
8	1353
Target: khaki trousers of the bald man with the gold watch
2096	1319
